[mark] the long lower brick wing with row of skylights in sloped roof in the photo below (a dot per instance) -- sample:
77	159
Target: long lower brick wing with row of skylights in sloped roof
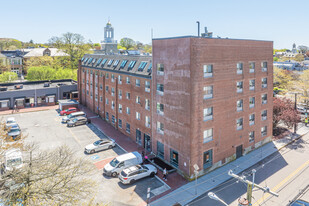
118	88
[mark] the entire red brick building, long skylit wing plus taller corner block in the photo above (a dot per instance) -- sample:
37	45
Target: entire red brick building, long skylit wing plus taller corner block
208	101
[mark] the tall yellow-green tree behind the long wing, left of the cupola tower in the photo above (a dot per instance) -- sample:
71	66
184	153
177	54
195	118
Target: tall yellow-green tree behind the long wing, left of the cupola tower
72	44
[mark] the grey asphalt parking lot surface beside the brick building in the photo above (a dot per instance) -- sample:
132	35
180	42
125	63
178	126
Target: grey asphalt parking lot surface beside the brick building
46	130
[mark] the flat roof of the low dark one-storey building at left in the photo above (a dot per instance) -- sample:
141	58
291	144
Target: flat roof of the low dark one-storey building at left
37	85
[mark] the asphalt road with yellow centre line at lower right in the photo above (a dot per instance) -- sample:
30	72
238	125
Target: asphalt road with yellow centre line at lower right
285	172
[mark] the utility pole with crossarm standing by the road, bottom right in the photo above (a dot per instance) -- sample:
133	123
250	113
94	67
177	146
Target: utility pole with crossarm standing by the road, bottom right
250	186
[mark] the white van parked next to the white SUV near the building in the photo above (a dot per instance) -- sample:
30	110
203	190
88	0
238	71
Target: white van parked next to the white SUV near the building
121	162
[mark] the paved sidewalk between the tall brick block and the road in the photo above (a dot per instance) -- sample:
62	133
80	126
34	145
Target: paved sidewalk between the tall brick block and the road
186	193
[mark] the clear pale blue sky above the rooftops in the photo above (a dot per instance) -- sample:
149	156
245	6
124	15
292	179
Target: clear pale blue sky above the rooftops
282	21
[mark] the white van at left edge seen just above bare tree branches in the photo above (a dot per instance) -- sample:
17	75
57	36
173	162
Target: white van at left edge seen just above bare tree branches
13	159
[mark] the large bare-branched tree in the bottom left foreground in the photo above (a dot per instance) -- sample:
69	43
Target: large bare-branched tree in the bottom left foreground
54	177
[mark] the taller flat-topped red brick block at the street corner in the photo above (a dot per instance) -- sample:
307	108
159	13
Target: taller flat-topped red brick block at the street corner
212	100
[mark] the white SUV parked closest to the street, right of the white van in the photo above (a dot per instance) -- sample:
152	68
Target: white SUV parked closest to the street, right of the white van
131	174
